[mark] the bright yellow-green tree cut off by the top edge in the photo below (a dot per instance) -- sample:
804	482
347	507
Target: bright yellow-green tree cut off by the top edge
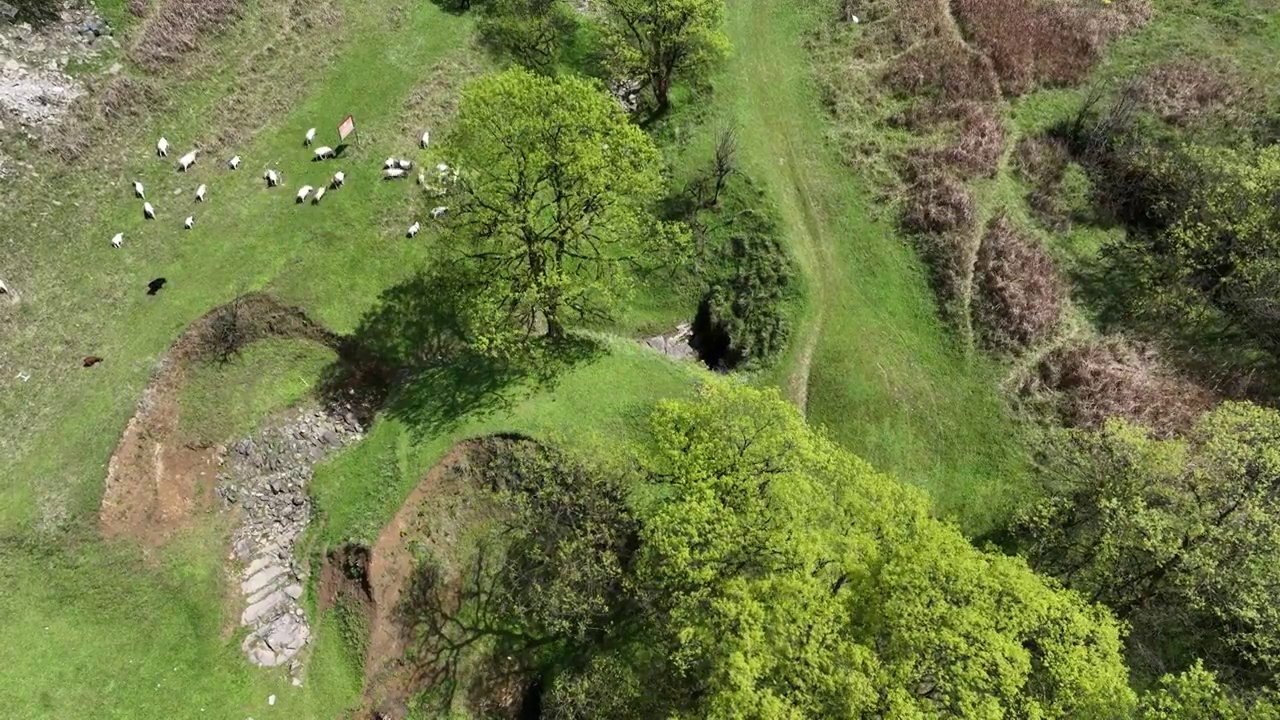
661	42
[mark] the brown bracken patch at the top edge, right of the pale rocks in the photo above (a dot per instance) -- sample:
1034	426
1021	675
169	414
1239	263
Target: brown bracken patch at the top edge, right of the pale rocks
177	29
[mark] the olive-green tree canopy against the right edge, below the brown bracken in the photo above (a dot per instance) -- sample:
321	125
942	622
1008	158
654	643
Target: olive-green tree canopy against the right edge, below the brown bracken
1181	537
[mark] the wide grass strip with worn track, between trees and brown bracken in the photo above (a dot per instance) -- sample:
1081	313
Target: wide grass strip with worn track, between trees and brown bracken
874	362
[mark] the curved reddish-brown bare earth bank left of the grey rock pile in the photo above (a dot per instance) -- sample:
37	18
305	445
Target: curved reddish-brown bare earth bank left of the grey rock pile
159	476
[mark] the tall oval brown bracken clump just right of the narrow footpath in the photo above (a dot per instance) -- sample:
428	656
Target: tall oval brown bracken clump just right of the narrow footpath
1020	295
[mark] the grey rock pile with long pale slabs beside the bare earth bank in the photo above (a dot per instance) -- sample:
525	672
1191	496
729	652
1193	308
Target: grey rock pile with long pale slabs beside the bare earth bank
267	477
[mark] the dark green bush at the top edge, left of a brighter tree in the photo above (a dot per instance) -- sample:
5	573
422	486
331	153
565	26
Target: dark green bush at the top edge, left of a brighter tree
532	33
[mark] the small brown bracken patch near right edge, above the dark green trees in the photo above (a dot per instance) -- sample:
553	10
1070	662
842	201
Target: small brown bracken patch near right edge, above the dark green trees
1182	93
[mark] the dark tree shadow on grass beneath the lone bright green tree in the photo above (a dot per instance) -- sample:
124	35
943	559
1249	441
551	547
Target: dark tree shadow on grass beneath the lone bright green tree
410	358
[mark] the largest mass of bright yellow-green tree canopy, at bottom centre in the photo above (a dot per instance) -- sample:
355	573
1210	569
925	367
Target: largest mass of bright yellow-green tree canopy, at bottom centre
781	577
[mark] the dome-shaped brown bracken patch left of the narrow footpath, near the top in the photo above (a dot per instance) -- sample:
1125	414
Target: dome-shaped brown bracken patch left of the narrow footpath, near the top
945	70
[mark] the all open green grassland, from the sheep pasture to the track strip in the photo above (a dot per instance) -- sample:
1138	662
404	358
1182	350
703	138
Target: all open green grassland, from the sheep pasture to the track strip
108	631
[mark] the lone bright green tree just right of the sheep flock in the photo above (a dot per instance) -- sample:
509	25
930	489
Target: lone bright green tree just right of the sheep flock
557	188
